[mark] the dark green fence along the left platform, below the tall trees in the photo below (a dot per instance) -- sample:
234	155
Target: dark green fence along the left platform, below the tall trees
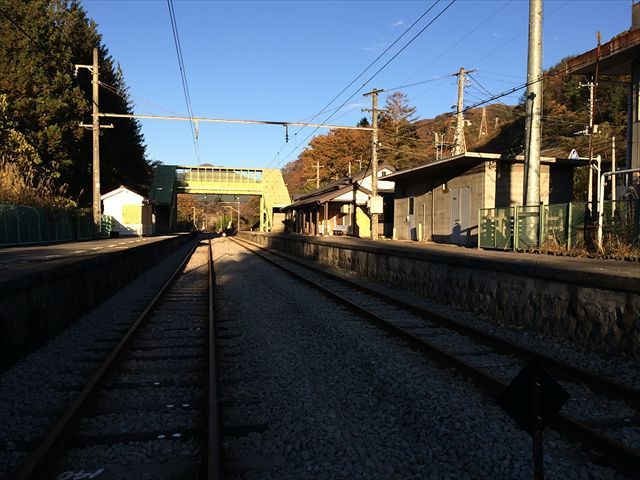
22	225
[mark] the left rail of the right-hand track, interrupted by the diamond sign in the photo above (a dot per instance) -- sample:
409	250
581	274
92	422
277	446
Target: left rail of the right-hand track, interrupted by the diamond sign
612	452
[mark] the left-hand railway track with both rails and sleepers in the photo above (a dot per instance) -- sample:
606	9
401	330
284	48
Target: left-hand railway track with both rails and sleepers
150	409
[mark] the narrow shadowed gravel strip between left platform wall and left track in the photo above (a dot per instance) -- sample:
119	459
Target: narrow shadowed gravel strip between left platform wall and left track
34	392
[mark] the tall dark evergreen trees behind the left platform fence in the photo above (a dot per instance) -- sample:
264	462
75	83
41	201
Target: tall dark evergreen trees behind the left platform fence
43	150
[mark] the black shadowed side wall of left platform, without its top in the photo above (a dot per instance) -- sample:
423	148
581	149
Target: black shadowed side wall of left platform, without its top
33	308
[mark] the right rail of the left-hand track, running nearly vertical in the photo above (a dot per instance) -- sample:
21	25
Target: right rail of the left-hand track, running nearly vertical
213	441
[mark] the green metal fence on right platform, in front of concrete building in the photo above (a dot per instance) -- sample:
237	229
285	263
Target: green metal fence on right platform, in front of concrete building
564	225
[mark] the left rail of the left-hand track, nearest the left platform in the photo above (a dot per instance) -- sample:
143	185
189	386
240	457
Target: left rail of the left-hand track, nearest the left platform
43	461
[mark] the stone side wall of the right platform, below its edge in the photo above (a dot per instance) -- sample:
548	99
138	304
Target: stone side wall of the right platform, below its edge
599	311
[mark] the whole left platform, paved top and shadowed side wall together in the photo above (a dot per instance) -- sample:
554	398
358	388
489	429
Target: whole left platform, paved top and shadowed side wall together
45	288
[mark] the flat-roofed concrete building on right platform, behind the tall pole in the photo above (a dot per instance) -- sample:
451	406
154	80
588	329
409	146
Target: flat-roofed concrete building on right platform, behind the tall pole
441	201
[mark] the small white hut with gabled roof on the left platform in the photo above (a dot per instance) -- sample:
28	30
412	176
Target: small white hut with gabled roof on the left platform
131	213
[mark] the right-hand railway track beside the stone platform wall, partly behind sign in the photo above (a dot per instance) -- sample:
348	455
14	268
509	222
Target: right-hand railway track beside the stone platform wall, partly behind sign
601	415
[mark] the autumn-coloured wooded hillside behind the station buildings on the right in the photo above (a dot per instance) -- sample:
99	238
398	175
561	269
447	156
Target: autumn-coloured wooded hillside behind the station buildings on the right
406	141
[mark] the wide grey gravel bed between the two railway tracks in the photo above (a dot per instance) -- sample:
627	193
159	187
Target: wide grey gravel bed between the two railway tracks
343	400
